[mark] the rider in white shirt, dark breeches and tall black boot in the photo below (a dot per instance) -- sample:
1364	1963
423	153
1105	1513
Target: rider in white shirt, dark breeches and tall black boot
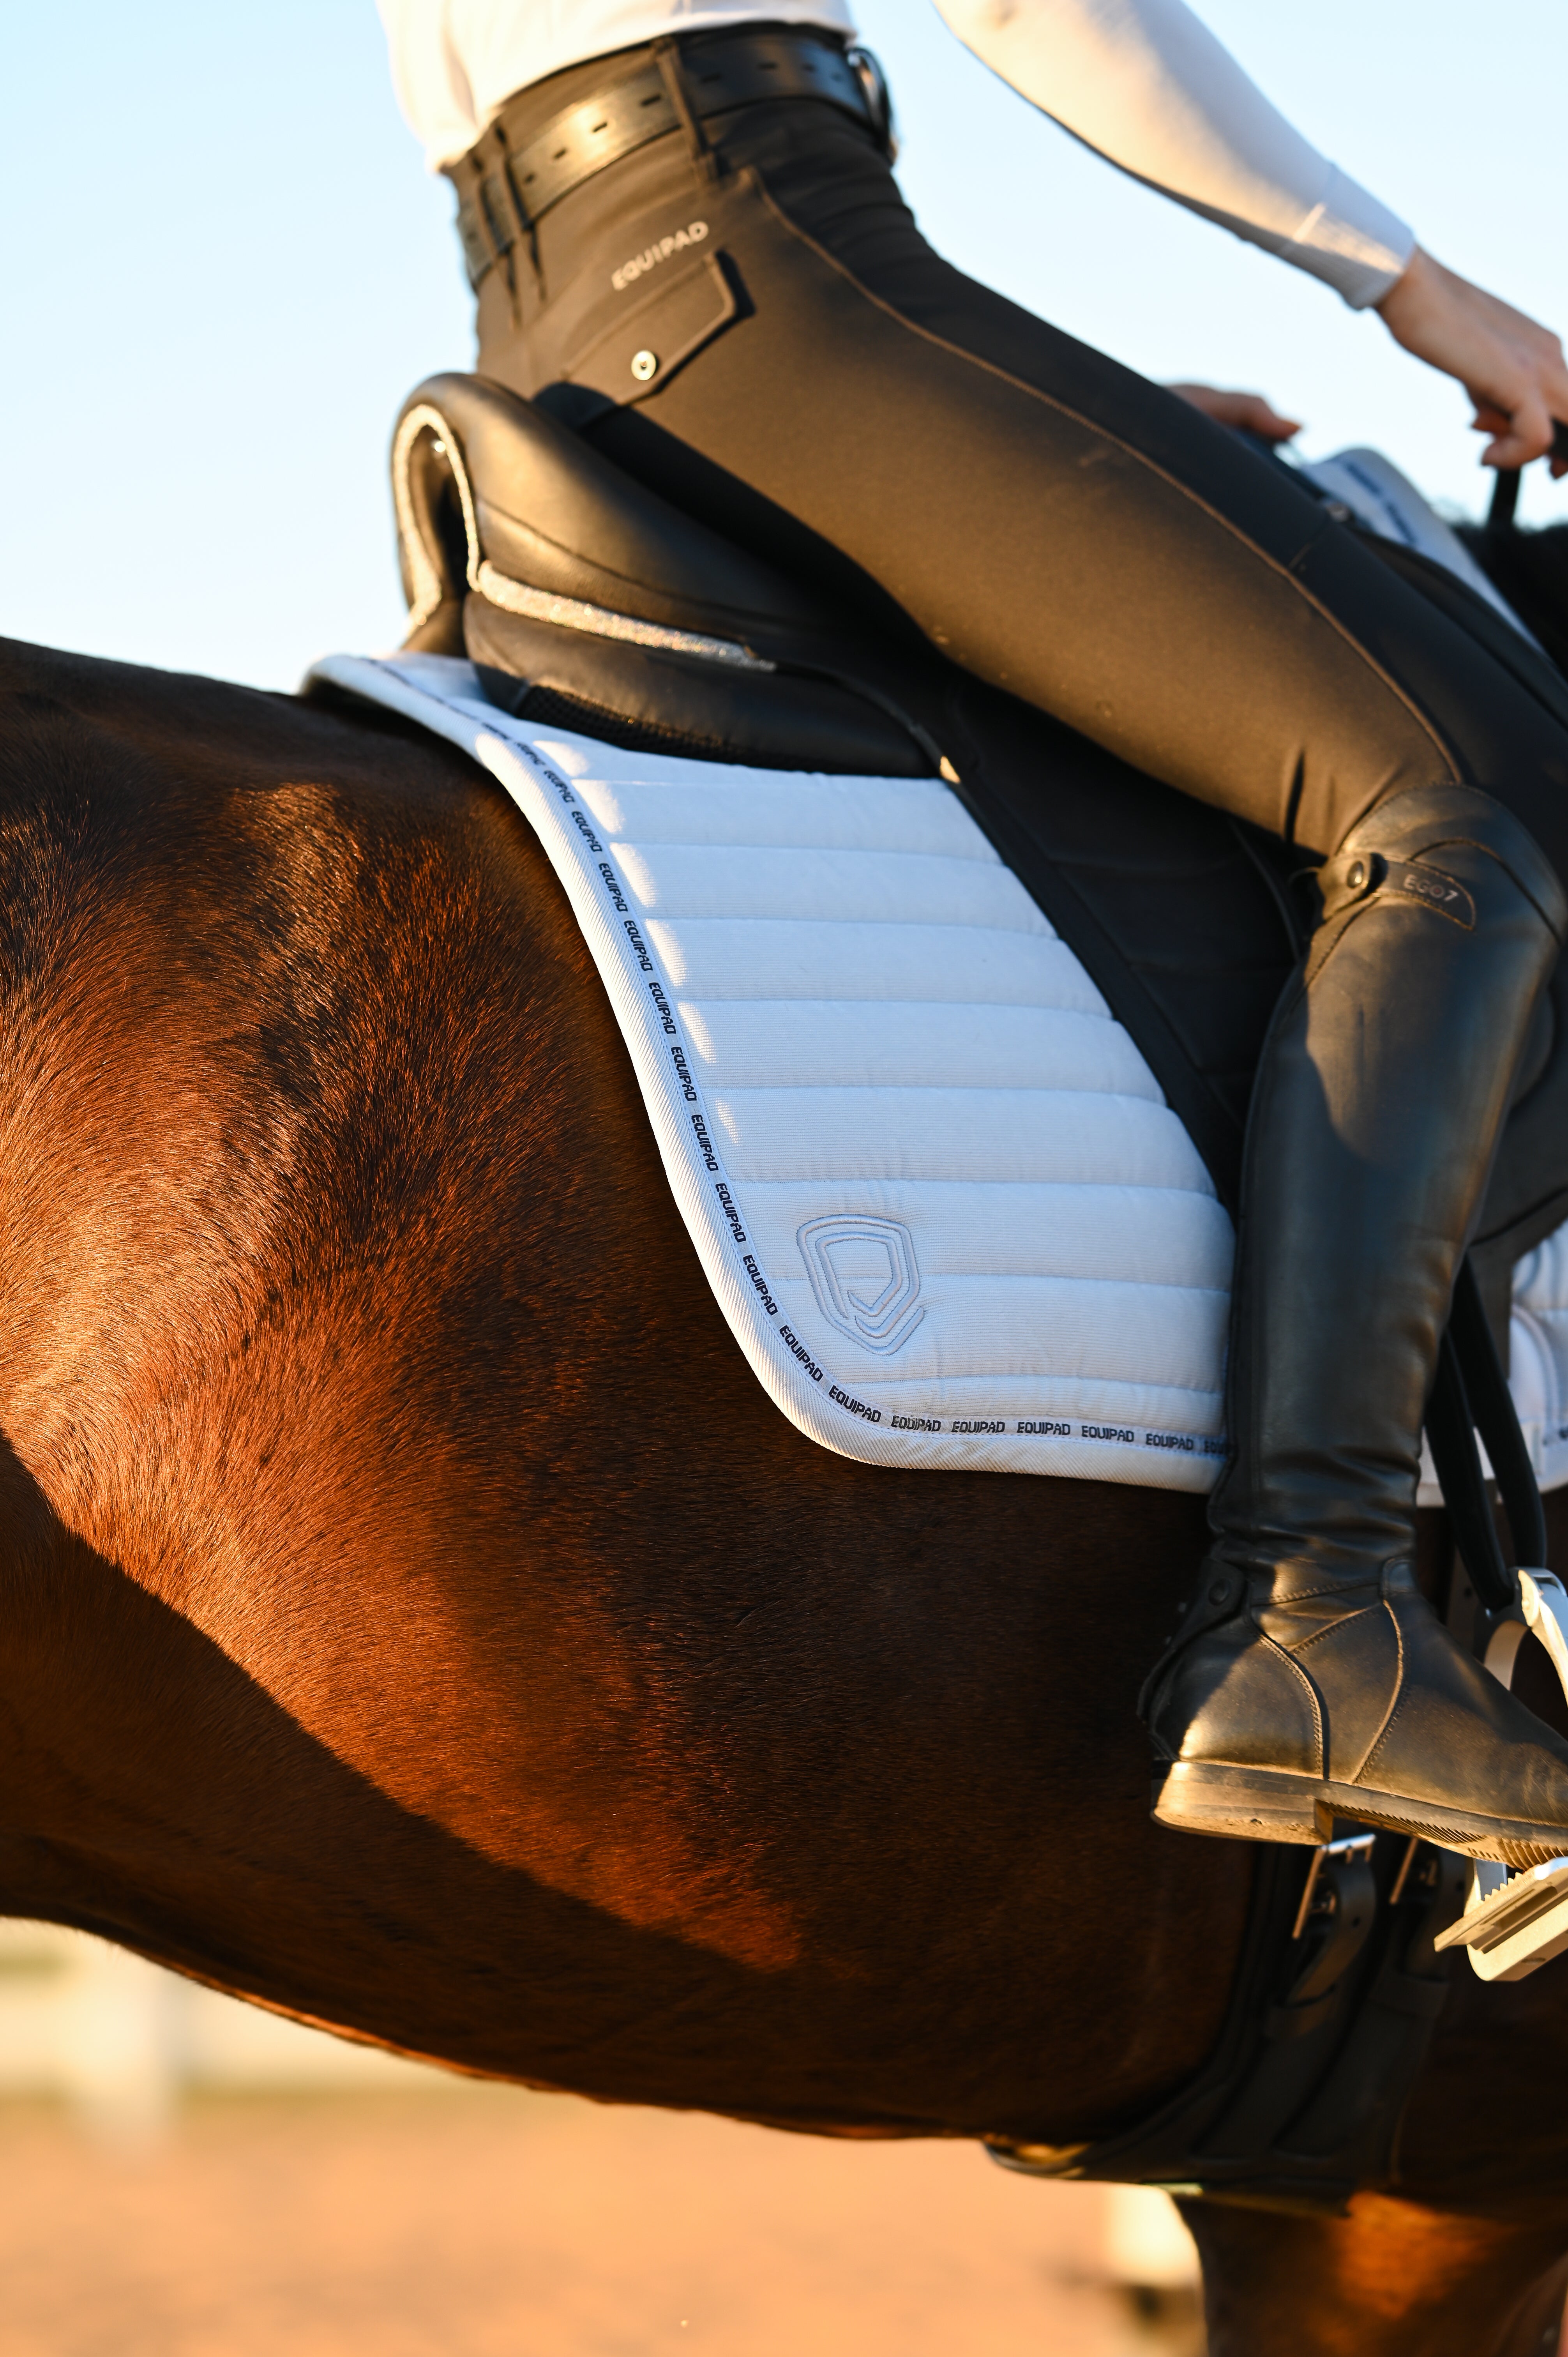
850	404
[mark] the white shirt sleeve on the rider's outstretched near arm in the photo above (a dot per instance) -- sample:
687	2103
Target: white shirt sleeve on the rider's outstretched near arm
1147	86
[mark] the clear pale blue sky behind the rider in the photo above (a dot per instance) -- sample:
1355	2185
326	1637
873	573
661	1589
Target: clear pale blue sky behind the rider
225	268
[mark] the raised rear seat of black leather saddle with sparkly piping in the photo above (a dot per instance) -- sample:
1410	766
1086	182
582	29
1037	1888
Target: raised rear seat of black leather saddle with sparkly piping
588	602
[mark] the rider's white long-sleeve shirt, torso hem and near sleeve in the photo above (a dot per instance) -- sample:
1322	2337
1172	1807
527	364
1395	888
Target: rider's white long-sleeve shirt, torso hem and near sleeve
1140	81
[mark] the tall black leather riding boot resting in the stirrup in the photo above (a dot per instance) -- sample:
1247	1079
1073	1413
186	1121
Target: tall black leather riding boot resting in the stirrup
1310	1679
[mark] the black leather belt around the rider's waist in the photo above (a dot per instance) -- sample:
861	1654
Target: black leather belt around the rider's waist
548	161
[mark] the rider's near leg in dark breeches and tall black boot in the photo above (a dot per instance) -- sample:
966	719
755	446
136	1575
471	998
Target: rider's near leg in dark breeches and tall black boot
1091	543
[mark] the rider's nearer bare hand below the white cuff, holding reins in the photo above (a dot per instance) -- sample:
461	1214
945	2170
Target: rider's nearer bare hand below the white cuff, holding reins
1510	369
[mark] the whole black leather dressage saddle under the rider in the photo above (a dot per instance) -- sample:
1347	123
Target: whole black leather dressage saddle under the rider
588	602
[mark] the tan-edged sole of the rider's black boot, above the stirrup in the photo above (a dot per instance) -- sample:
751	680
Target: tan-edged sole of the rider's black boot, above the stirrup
1270	1804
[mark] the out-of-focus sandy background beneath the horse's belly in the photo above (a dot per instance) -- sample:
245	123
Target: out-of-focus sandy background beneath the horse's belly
407	2214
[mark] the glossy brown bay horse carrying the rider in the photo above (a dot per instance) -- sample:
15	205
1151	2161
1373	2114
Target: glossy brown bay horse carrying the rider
414	1618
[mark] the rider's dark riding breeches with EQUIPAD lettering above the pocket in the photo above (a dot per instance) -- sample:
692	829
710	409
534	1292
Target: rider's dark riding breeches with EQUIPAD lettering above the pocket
763	334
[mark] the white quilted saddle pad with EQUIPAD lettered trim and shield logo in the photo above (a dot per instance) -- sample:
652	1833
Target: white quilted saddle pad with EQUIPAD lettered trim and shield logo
930	1177
